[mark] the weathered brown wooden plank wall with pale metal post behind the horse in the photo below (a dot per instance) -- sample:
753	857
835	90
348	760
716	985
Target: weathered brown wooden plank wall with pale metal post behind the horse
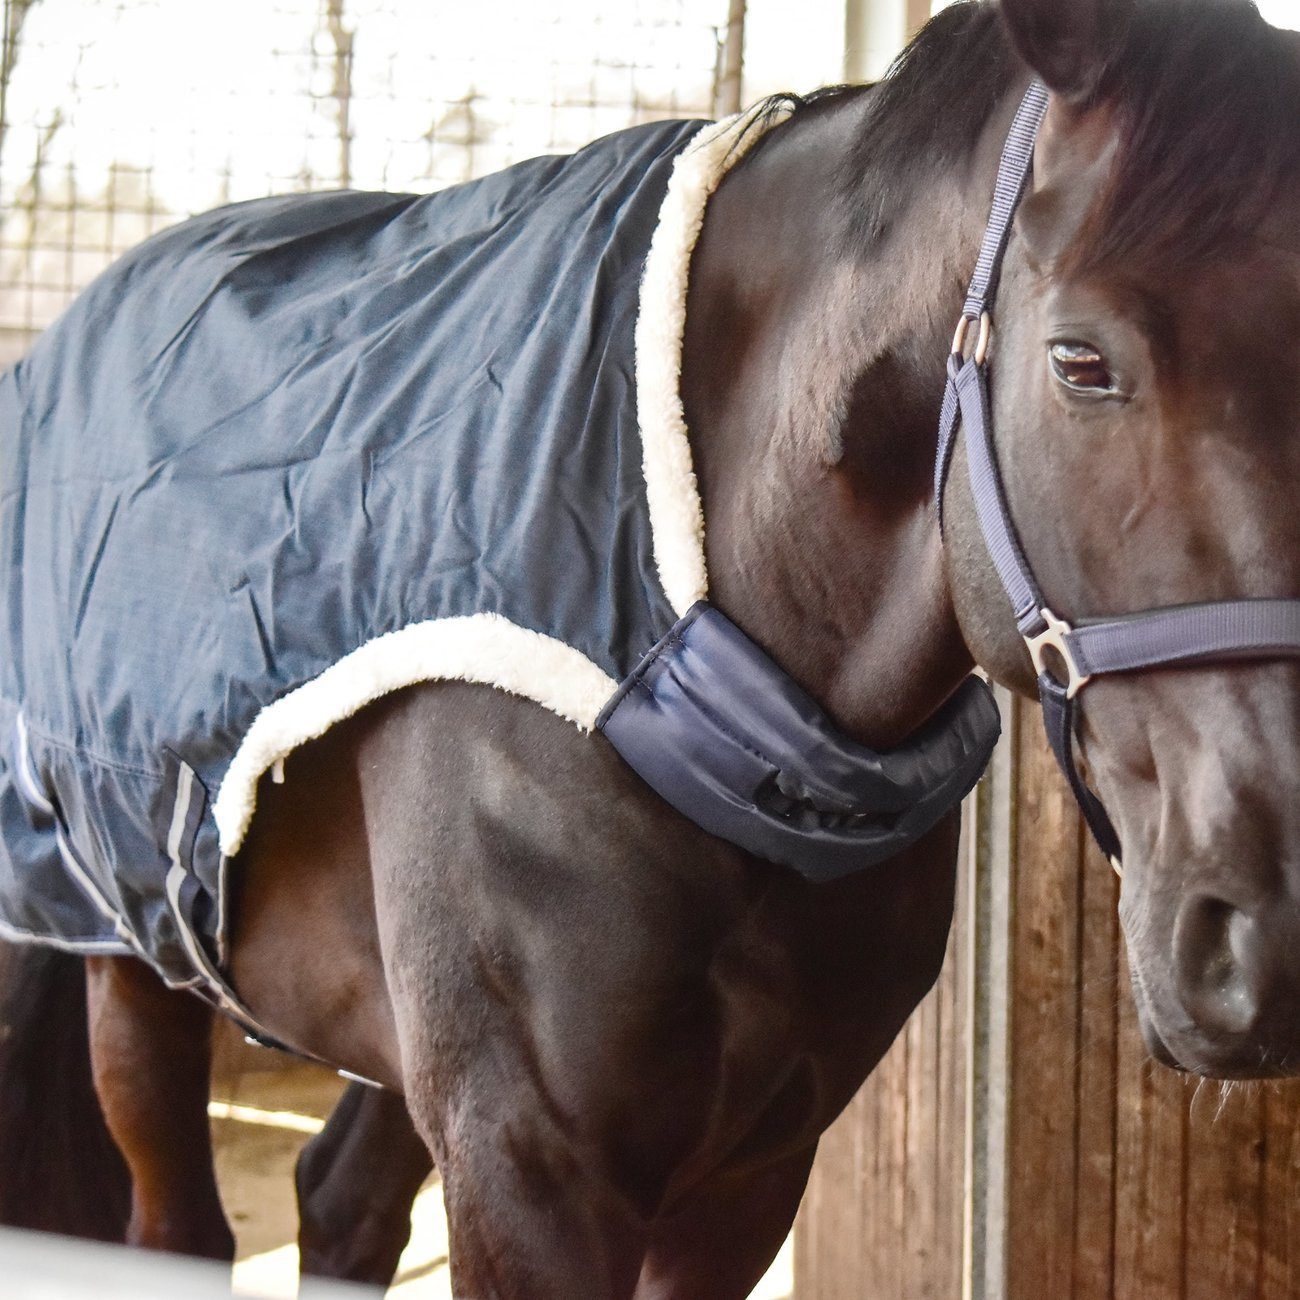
1093	1173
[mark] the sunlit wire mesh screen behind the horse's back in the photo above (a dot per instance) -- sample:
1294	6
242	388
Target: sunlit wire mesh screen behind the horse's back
119	118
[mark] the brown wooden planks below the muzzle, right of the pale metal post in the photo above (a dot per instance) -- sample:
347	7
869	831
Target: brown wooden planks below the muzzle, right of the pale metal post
1126	1180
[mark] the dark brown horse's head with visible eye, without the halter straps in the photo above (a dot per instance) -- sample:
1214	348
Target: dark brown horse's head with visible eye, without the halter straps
1146	406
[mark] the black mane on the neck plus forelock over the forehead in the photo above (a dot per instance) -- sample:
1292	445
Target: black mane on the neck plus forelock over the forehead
1206	97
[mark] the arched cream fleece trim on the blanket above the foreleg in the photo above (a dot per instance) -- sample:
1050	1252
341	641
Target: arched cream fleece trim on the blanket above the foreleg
480	648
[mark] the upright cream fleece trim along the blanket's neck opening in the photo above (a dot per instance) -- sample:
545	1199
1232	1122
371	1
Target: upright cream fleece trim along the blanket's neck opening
677	518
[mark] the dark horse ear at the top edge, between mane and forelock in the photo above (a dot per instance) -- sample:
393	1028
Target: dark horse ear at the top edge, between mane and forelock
1069	44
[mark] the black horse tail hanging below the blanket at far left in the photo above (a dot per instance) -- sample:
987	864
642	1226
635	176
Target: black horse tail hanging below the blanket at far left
60	1171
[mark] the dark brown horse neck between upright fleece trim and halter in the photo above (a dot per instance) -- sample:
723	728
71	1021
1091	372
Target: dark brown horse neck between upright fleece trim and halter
812	383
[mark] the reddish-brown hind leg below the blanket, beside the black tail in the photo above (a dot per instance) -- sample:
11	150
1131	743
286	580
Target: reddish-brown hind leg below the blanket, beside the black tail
151	1051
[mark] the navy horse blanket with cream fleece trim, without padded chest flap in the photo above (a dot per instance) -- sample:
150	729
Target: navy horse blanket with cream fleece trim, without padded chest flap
298	453
